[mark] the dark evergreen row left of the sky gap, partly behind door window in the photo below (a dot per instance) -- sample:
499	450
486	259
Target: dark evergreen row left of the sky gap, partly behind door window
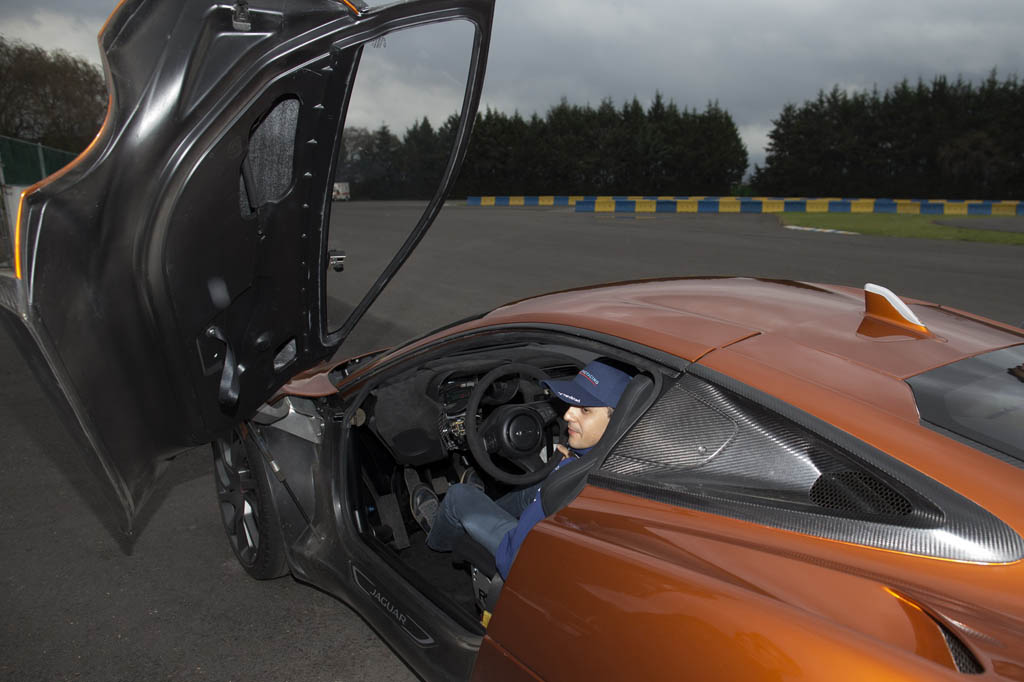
573	150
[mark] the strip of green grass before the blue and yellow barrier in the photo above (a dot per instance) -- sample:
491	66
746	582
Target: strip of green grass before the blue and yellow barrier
894	225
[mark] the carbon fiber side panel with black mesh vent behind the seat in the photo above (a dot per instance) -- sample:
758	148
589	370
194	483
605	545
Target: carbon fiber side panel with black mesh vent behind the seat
707	448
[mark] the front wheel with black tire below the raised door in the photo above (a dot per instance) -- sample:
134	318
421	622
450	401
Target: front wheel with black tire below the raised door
246	508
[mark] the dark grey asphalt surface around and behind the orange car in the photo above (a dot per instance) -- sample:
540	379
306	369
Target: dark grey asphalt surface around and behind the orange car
77	604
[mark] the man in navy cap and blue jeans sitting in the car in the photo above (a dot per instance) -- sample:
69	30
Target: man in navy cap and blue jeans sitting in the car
501	526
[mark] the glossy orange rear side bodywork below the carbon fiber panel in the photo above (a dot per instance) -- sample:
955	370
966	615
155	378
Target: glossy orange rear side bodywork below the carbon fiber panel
645	590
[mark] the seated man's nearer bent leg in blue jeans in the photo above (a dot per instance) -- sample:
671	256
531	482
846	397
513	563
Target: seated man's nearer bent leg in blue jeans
468	509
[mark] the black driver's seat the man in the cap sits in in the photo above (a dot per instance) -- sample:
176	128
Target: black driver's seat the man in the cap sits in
558	491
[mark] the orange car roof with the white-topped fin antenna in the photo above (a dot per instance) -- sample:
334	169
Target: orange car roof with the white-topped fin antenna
817	333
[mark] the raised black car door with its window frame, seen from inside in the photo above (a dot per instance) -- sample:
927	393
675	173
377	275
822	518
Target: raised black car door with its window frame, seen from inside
174	278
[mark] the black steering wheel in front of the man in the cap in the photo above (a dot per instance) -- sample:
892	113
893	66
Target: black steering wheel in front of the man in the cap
517	434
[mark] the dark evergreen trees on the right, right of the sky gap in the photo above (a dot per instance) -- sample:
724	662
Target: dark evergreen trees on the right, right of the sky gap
943	140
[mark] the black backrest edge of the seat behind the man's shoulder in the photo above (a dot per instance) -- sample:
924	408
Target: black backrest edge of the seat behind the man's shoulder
564	486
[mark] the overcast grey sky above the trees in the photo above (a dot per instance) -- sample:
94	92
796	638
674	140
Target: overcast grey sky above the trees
751	56
